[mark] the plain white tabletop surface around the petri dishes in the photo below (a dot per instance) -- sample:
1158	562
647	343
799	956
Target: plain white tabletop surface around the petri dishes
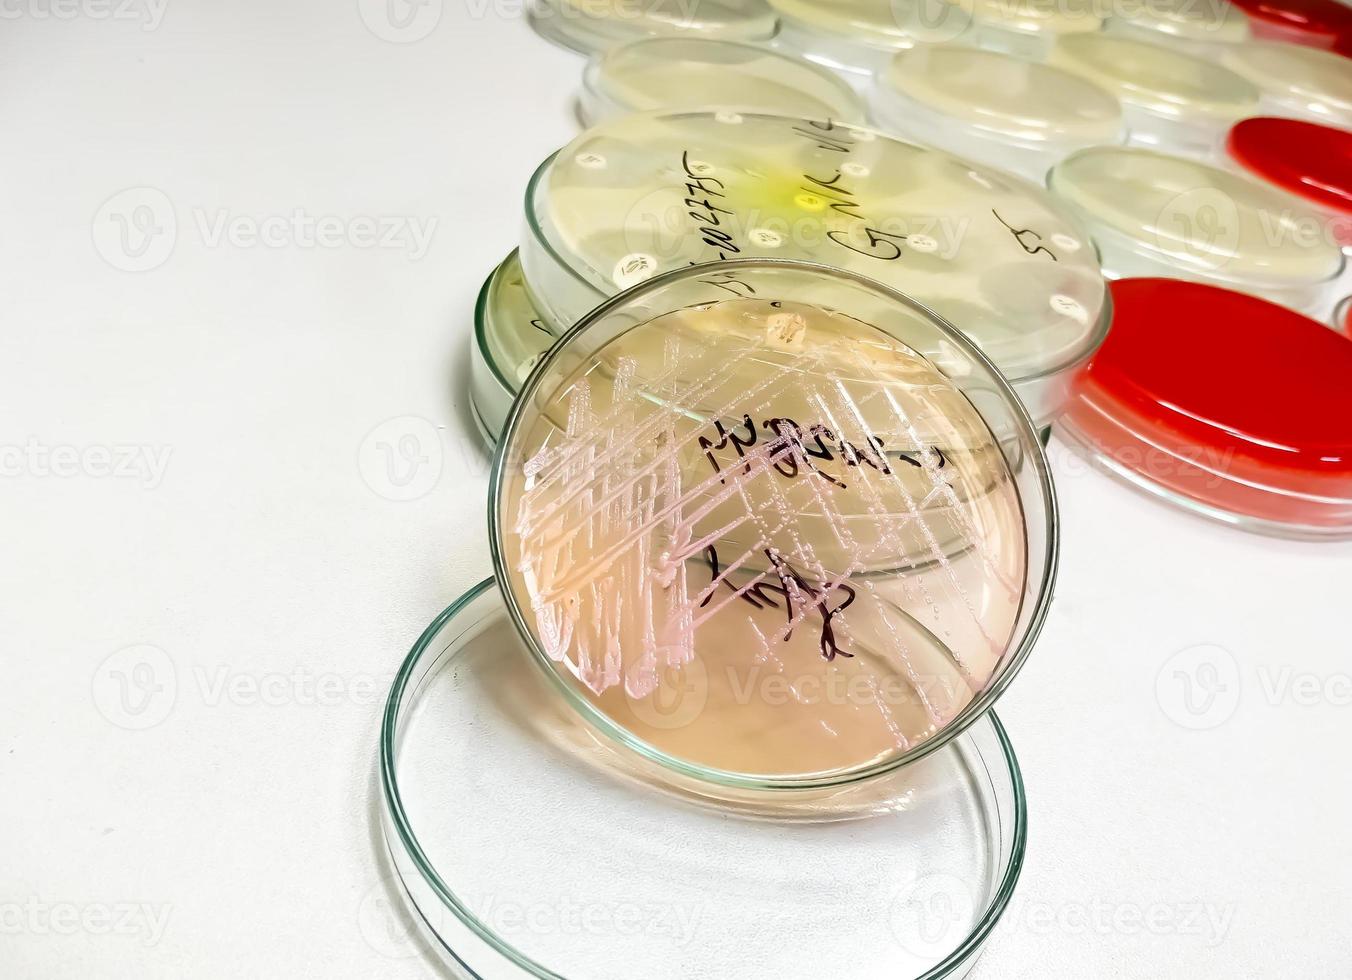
220	824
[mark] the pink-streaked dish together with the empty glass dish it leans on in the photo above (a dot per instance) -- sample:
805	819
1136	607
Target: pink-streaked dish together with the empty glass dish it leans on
762	568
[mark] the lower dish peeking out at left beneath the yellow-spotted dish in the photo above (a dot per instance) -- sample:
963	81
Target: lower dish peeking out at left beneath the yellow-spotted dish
509	341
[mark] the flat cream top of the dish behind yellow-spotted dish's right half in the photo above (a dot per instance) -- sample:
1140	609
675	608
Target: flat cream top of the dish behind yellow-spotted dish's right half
1008	98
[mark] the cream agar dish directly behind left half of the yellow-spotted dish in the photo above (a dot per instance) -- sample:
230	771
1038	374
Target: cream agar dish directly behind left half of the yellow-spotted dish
685	74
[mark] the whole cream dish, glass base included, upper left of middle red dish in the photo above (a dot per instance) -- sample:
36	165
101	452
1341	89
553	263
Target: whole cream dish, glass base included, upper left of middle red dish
1173	101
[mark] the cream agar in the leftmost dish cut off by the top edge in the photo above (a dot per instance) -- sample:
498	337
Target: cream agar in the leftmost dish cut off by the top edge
723	20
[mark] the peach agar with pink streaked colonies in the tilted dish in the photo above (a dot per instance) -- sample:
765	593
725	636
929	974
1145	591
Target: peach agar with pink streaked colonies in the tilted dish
690	520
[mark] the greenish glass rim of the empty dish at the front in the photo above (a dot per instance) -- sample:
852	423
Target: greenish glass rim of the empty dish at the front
408	686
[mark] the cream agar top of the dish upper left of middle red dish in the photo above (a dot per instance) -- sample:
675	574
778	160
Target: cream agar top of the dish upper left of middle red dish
1158	79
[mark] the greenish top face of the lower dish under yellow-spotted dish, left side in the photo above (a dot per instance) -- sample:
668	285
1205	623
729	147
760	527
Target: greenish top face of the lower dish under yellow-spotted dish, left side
509	332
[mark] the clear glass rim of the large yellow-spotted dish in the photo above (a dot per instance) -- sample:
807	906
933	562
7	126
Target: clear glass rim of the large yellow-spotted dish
1092	341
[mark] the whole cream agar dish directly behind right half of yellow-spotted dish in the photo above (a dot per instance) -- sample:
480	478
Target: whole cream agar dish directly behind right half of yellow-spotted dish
998	110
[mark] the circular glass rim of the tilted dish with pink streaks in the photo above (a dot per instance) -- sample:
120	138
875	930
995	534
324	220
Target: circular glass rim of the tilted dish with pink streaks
1016	654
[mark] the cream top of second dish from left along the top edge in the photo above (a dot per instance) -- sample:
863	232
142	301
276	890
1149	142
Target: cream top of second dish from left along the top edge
894	25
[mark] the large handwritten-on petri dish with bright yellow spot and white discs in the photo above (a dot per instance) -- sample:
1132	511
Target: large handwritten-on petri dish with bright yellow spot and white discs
992	253
